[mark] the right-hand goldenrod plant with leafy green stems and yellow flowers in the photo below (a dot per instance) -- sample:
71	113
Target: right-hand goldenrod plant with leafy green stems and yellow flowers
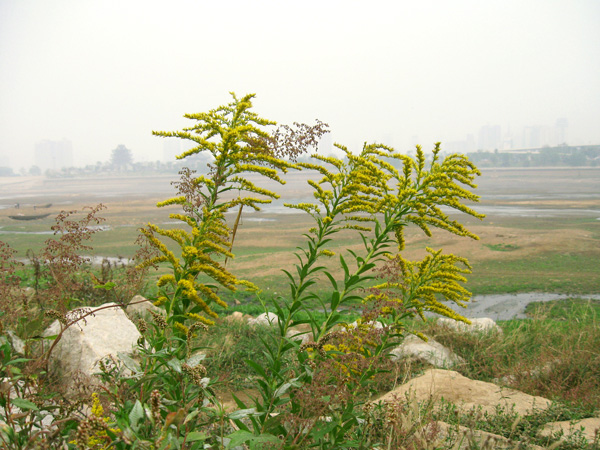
365	192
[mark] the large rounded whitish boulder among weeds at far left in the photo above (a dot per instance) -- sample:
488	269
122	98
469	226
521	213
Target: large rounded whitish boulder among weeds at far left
105	333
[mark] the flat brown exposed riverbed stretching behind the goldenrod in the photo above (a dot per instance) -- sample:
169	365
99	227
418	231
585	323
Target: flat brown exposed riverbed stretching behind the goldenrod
530	213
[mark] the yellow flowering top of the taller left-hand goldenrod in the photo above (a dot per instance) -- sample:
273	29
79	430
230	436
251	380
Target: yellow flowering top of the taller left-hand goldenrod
239	145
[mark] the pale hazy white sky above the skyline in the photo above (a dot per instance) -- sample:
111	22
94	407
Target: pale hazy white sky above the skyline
103	73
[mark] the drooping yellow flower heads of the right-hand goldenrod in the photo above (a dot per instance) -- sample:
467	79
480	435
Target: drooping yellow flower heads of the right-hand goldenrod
391	191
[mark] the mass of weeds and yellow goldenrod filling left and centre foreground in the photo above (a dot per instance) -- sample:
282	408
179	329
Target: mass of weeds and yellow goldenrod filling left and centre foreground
310	393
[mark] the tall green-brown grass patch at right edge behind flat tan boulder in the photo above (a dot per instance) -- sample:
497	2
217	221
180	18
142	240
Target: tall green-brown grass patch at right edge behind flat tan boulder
552	354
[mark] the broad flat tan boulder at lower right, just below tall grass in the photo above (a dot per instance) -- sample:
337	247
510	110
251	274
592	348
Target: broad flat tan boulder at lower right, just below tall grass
466	394
